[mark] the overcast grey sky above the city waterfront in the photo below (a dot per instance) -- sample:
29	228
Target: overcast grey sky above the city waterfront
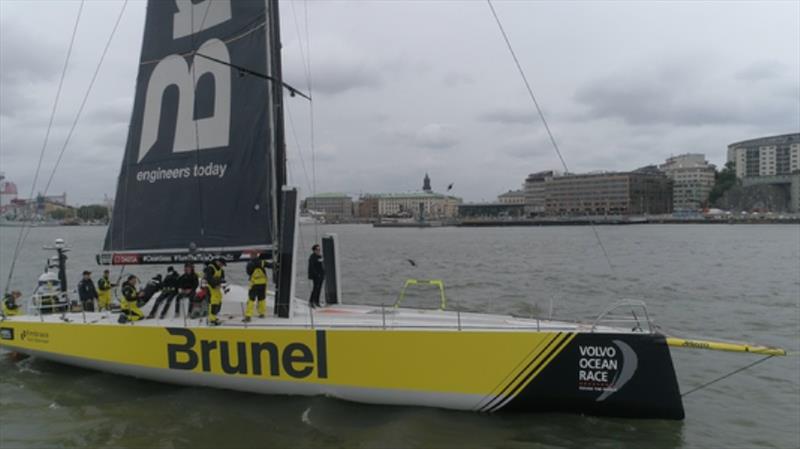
402	88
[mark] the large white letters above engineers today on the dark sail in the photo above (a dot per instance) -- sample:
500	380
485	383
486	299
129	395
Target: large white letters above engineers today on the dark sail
192	133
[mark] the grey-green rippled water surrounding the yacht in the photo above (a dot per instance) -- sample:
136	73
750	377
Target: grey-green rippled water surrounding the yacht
737	282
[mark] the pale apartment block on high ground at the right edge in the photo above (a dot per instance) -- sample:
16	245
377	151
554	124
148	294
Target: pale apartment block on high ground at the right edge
766	156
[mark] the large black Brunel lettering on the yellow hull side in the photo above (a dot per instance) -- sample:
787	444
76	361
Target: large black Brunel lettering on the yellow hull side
296	360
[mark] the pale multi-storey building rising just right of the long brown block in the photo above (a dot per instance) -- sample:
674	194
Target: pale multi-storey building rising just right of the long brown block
692	179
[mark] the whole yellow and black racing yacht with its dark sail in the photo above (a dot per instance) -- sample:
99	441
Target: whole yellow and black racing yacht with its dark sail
204	177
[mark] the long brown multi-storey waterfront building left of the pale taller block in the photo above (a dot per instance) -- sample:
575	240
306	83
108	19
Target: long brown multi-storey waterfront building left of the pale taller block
643	191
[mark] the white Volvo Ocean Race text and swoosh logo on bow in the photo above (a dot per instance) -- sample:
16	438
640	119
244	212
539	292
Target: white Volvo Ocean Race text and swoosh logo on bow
605	368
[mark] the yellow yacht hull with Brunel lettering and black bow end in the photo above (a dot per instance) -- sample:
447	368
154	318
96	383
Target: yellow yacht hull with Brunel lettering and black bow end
483	370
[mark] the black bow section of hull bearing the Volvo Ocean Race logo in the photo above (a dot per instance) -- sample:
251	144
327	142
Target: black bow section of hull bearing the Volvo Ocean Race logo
618	375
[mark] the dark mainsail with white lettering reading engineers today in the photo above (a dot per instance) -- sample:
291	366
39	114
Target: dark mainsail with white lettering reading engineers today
198	177
